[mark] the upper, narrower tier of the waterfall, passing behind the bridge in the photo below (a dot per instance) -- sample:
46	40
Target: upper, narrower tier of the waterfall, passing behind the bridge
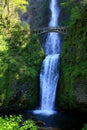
52	45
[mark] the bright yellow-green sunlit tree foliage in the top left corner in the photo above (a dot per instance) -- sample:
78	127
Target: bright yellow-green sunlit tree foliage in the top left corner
8	13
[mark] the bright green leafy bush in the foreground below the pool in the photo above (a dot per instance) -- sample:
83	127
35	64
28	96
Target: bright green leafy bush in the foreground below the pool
15	123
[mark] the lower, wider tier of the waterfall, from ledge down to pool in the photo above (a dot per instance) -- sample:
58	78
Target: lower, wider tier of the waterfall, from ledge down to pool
48	82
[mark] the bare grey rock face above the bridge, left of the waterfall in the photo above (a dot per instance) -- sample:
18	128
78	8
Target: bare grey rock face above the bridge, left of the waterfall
37	13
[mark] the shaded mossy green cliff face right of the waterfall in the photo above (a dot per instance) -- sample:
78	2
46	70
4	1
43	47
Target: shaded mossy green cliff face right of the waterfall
72	89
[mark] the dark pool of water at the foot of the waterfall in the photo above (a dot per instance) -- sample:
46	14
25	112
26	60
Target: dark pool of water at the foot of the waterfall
62	120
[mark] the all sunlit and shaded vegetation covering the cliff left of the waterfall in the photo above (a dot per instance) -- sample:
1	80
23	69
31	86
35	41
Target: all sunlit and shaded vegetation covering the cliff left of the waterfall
20	59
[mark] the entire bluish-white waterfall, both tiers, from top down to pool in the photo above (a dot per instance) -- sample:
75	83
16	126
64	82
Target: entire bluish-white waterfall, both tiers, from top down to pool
49	72
